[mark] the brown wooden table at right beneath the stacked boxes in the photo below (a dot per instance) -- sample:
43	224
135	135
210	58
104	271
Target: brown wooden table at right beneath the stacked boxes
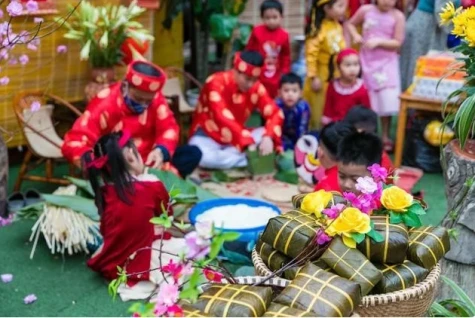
417	103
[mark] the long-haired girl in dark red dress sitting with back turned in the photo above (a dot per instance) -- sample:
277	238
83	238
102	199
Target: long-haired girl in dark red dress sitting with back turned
127	198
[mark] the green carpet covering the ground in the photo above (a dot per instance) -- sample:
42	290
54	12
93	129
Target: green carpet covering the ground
68	288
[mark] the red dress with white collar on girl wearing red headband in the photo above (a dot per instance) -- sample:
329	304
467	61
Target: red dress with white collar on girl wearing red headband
341	99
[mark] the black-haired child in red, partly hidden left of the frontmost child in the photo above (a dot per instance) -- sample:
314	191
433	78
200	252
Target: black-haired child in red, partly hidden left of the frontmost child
329	138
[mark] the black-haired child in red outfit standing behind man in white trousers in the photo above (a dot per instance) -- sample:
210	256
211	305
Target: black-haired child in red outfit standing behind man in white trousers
272	42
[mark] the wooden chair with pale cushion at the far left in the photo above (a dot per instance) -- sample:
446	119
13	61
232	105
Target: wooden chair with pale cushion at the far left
42	140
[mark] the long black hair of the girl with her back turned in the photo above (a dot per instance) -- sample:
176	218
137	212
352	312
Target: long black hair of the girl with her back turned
115	171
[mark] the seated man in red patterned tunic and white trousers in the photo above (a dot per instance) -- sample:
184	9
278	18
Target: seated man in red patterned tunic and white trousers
225	103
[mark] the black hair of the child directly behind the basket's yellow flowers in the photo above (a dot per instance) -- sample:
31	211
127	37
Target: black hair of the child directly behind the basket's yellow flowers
360	148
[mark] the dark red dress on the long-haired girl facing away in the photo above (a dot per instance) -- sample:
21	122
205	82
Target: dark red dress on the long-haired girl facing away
126	228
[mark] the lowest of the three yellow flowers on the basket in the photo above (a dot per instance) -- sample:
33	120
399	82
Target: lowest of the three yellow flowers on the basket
351	220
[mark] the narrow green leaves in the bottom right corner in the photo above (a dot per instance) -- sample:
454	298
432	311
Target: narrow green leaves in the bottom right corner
461	307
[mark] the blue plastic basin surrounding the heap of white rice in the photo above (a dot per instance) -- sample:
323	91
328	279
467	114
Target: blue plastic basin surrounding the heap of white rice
247	235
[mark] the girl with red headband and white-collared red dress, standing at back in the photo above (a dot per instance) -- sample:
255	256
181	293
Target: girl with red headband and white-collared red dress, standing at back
347	91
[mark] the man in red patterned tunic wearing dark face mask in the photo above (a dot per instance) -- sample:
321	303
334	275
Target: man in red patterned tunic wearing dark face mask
135	104
